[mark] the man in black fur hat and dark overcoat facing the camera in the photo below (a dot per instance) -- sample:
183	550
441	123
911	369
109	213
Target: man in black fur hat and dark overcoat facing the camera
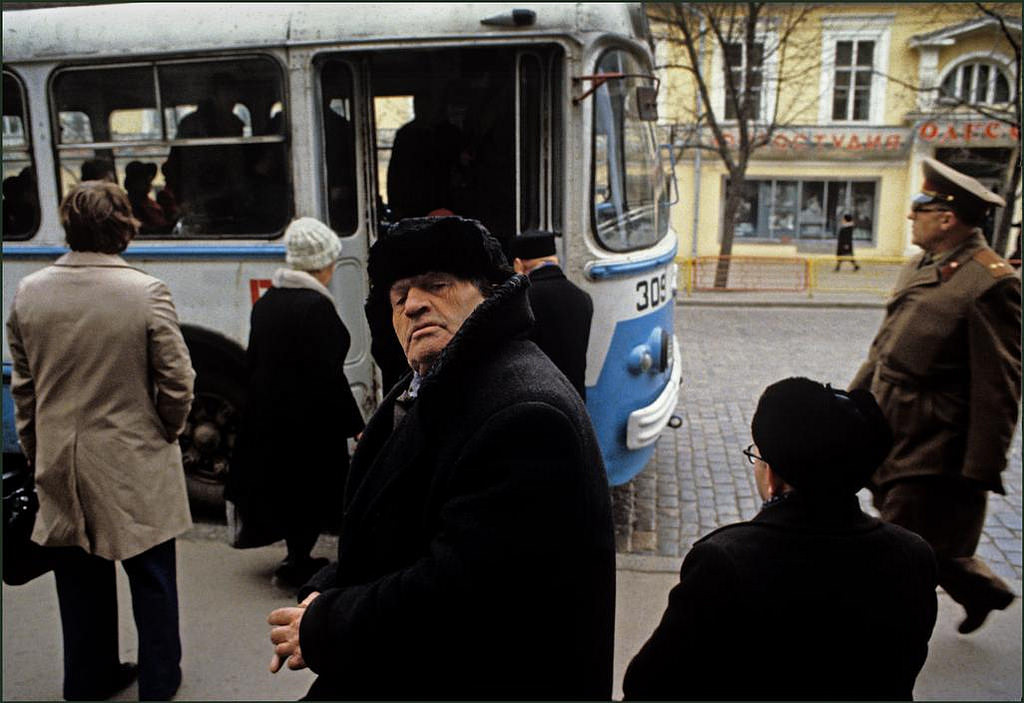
465	570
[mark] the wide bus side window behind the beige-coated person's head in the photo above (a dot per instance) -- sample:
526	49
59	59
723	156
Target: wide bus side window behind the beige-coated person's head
209	134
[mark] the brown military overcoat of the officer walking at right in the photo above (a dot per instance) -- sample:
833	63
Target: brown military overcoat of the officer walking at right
946	367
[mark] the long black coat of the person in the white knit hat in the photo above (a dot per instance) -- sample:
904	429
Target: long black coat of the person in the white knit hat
300	409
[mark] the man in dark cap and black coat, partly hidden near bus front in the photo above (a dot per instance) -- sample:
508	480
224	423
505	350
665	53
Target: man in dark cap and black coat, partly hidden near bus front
562	311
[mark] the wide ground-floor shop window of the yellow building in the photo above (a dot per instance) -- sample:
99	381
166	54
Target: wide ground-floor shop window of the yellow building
784	211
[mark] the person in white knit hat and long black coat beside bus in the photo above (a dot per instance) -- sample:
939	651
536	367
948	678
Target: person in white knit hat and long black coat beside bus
300	409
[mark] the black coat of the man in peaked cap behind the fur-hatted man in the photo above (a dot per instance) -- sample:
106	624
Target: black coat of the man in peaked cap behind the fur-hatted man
564	315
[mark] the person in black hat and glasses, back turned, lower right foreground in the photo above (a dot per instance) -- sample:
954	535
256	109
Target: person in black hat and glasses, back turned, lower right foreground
813	599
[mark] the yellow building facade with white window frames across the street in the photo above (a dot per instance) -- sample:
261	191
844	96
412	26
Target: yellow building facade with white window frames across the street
854	92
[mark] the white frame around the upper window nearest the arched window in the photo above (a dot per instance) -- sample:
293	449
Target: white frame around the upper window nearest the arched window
837	29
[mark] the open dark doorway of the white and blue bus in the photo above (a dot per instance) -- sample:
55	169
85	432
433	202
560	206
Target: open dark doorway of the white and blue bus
463	131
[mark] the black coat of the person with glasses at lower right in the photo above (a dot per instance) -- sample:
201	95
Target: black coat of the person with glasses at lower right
806	601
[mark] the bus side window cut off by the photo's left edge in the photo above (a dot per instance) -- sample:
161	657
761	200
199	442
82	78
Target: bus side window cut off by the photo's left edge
21	198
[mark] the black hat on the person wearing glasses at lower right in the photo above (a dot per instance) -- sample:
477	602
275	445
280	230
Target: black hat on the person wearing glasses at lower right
821	440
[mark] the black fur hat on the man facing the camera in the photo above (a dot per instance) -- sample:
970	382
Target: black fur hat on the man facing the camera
450	245
